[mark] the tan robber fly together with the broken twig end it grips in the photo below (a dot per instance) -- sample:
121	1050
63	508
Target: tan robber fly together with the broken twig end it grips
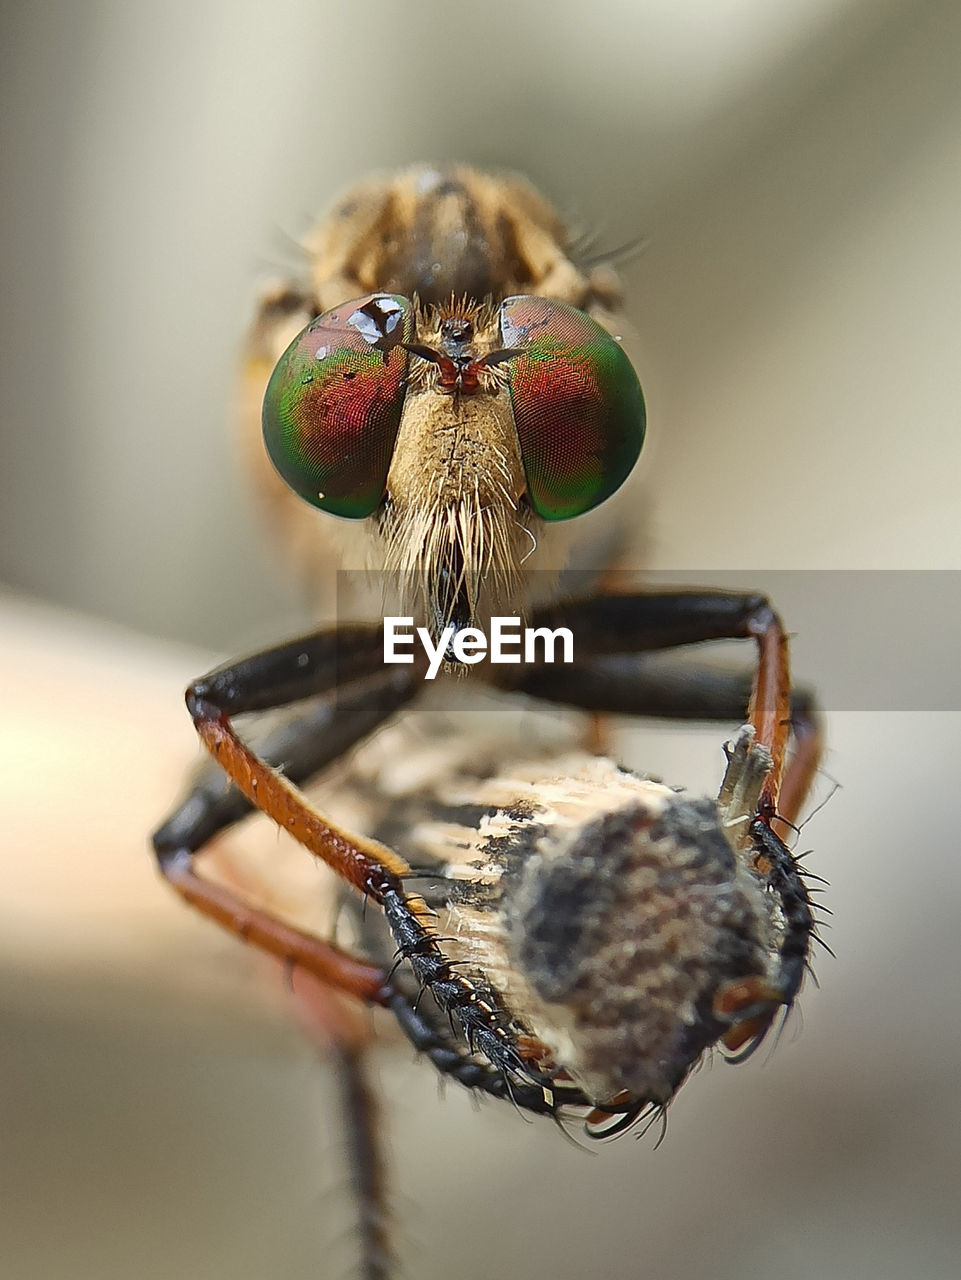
553	931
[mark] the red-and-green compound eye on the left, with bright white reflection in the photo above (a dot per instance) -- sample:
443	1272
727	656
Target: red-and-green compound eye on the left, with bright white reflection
333	404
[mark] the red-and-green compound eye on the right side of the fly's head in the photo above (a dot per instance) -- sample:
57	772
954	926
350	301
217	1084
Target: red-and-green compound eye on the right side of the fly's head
578	406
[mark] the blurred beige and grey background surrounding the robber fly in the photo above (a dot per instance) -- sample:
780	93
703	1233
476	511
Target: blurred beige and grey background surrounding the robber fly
794	173
